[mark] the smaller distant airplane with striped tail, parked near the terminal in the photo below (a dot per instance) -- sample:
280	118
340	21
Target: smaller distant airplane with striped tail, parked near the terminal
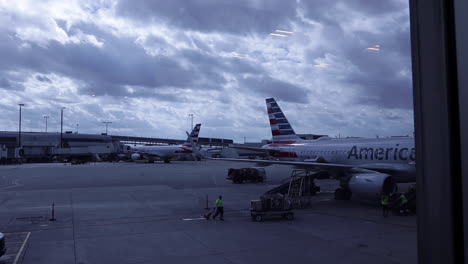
169	151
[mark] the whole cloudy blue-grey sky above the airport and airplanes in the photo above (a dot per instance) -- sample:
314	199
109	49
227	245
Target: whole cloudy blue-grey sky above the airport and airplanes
145	65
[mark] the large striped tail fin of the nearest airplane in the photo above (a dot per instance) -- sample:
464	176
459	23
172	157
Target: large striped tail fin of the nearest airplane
281	130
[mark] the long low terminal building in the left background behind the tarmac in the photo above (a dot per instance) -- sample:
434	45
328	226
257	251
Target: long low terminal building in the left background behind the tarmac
41	146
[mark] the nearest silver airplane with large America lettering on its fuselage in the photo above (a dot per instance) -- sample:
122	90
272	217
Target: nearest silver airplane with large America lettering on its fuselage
365	167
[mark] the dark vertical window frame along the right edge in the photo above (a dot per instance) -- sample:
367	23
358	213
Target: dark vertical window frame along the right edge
440	120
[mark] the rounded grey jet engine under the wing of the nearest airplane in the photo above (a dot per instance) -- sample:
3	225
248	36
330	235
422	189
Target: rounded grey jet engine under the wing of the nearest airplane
371	184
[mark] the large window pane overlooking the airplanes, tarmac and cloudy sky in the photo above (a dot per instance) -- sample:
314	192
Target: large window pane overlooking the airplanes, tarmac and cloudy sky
119	87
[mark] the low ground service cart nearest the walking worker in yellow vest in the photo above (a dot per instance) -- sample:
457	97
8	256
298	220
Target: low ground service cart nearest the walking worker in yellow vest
271	206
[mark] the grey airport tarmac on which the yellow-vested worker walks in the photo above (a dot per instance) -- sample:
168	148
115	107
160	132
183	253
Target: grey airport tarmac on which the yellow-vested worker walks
152	213
